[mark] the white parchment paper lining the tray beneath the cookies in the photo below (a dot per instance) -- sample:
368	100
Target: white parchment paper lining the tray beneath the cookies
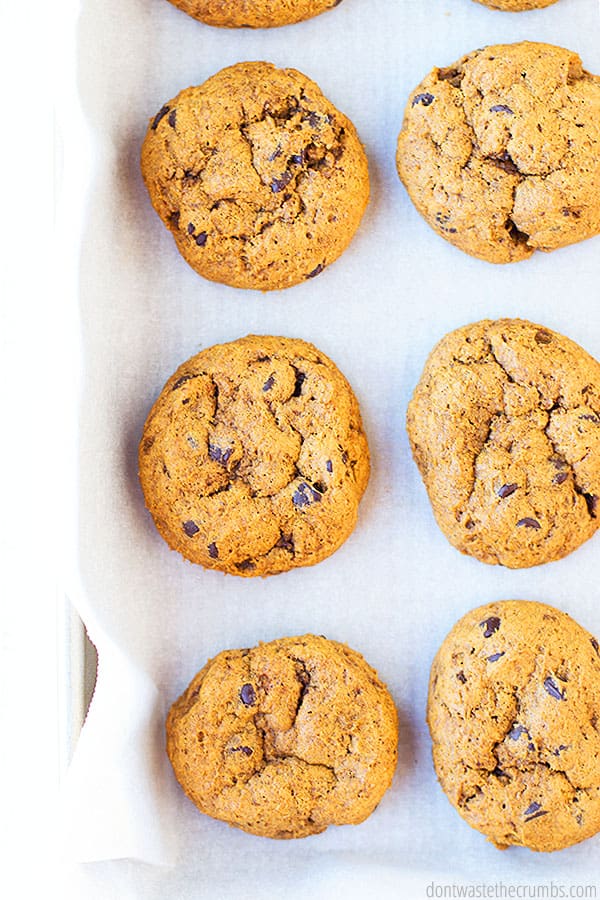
396	587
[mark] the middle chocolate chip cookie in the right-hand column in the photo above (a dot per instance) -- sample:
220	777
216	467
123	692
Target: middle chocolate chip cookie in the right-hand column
505	429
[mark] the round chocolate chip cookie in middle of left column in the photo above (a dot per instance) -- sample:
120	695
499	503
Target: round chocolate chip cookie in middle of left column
253	459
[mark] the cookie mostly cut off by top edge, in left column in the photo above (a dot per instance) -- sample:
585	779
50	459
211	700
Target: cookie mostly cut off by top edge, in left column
253	13
